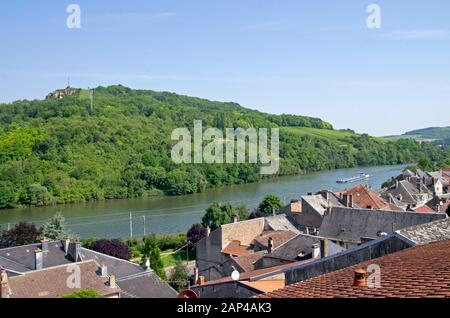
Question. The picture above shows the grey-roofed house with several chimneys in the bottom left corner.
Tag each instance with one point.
(37, 260)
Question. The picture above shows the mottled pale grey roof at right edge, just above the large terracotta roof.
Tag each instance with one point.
(428, 232)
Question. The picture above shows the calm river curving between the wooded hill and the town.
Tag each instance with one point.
(164, 215)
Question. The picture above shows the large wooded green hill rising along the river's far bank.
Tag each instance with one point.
(58, 150)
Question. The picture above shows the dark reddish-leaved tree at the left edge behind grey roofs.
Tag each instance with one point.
(23, 233)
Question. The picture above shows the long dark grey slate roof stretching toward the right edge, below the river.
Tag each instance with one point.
(355, 225)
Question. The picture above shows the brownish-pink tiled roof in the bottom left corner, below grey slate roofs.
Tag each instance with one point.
(52, 282)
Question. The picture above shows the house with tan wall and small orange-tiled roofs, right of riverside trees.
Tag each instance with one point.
(238, 245)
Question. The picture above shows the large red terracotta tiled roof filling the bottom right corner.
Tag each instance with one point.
(421, 271)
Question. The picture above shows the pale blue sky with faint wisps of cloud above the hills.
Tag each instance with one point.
(315, 58)
